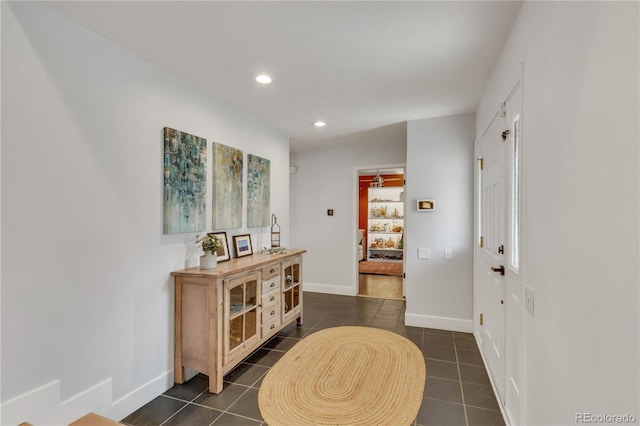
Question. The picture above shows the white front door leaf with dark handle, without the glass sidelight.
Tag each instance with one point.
(490, 259)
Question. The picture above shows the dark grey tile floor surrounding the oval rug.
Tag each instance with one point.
(457, 390)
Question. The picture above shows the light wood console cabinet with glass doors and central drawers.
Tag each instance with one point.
(223, 314)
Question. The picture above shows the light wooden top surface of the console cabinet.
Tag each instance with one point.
(240, 264)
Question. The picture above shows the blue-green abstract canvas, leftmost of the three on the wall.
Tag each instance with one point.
(185, 158)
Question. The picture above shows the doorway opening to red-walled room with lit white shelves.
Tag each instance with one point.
(380, 233)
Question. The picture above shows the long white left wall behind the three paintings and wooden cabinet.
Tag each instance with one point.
(87, 301)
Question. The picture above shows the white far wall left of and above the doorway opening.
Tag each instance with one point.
(325, 180)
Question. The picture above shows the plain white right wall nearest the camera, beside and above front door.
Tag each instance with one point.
(580, 200)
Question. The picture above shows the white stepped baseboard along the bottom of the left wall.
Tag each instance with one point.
(42, 406)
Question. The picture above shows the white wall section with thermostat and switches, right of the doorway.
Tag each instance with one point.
(439, 291)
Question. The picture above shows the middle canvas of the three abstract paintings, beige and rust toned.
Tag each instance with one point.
(227, 187)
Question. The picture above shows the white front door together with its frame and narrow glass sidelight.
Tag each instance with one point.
(499, 289)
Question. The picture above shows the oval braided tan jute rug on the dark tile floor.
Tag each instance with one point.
(345, 376)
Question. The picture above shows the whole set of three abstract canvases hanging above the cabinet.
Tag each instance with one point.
(185, 159)
